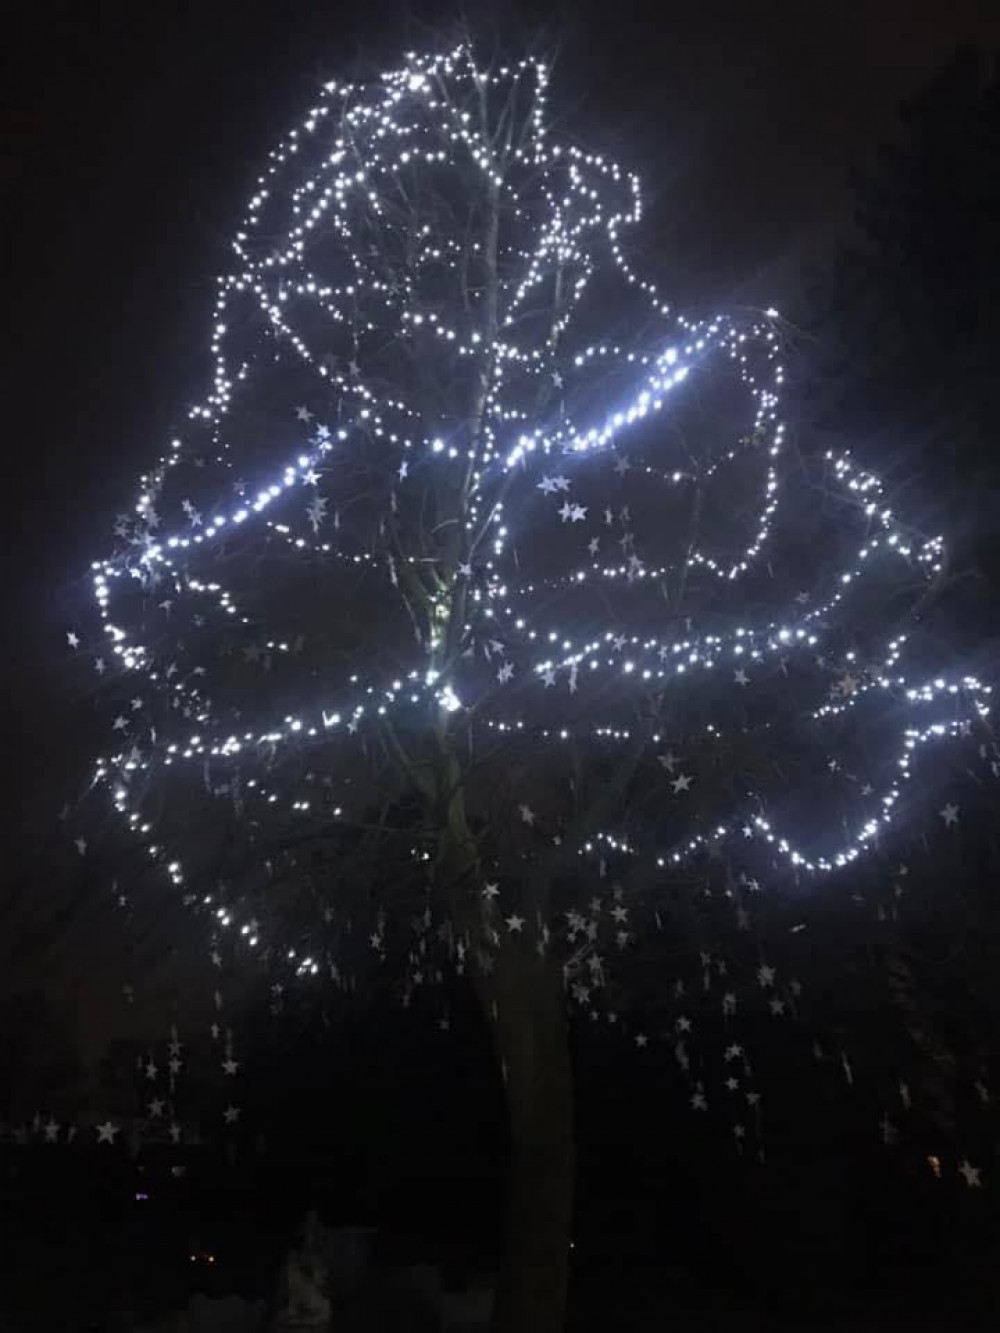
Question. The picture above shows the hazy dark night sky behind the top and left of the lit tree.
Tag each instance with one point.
(133, 135)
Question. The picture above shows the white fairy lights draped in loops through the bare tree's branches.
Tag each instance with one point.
(341, 177)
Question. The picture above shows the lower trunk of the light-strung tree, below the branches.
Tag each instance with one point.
(530, 1022)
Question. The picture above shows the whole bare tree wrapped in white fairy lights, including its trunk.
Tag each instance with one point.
(450, 631)
